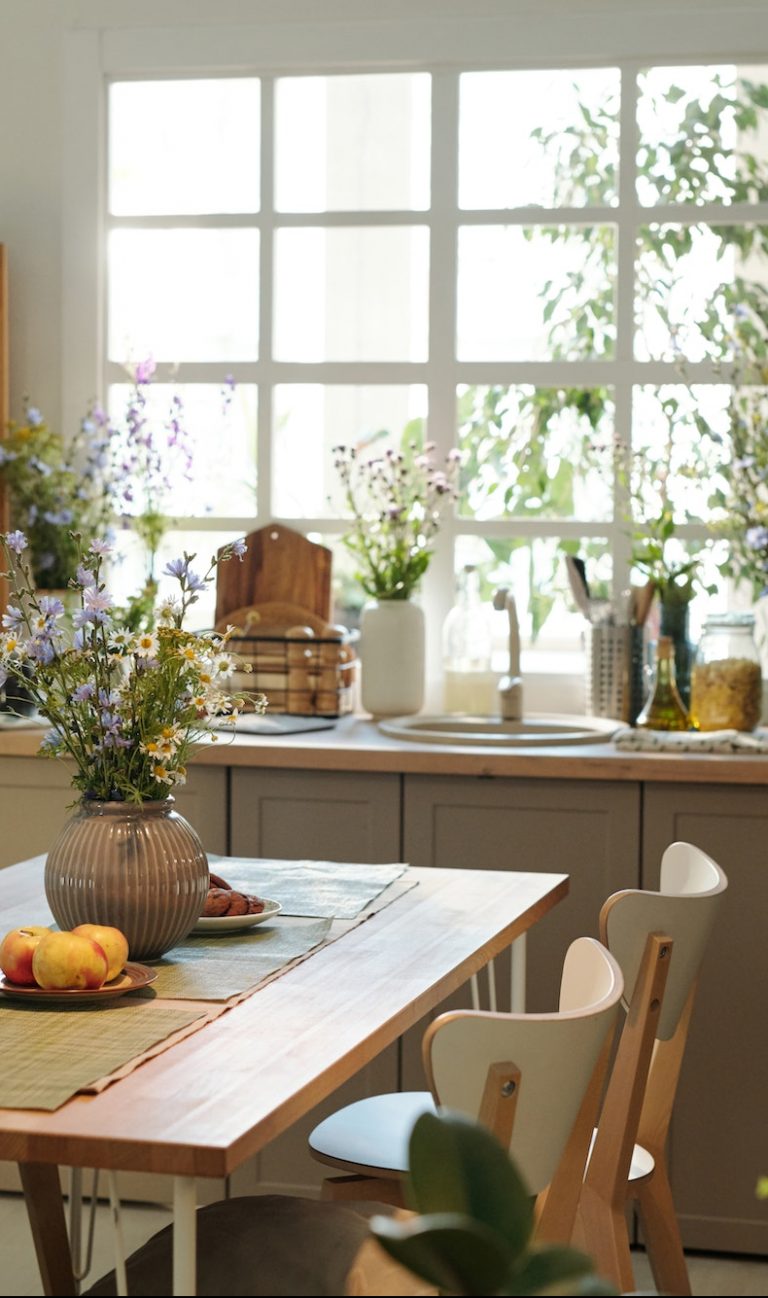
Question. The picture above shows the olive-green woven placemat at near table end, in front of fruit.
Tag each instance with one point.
(51, 1055)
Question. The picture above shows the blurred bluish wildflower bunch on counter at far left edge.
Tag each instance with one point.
(56, 490)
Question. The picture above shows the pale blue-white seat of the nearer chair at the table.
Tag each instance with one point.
(373, 1135)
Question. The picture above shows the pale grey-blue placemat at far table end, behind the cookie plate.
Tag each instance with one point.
(312, 888)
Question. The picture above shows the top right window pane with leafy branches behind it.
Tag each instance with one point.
(702, 136)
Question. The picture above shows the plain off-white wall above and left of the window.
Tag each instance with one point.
(33, 41)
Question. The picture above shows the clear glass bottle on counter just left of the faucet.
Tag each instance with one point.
(470, 683)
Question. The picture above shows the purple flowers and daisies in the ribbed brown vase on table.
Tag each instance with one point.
(126, 708)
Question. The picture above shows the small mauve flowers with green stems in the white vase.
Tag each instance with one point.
(396, 503)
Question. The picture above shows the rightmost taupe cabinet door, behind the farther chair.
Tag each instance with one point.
(718, 1147)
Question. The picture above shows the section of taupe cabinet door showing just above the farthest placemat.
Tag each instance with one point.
(321, 816)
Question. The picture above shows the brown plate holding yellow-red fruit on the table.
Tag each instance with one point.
(88, 962)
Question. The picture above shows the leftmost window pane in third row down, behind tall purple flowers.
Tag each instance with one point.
(219, 428)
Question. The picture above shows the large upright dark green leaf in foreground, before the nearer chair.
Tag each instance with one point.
(457, 1166)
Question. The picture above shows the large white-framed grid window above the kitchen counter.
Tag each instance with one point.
(516, 262)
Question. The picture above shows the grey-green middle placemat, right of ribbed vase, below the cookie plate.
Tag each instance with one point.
(216, 969)
